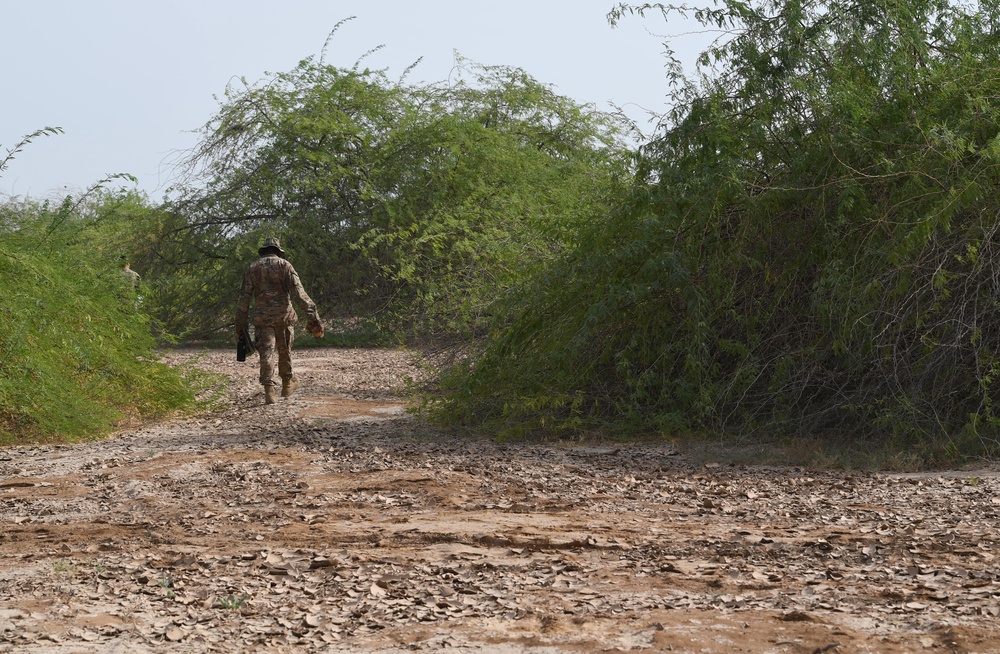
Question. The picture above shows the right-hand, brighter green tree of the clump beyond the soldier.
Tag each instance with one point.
(502, 176)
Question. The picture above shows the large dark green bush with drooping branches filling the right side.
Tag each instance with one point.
(810, 246)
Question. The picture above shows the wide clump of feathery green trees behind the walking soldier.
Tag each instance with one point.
(416, 205)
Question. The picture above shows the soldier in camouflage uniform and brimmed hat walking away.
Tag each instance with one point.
(273, 285)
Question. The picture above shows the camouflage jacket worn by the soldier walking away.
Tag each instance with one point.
(273, 285)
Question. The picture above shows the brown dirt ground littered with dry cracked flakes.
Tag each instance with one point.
(332, 521)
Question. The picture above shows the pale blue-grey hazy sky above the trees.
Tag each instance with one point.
(129, 81)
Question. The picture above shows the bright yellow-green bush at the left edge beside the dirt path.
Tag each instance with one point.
(76, 352)
